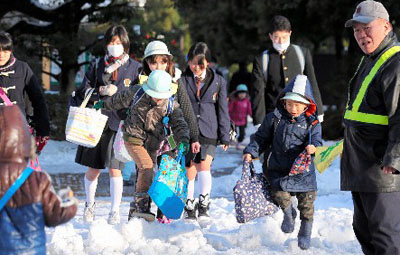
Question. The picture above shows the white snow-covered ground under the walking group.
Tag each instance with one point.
(332, 230)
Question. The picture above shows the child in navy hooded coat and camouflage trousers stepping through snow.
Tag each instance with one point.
(288, 129)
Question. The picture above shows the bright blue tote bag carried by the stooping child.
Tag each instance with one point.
(169, 188)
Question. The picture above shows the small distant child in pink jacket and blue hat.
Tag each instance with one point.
(239, 108)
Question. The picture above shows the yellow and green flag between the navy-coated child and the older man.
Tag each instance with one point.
(325, 155)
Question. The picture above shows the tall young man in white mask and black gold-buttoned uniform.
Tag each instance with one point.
(276, 67)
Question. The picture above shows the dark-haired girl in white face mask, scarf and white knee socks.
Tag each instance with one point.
(114, 72)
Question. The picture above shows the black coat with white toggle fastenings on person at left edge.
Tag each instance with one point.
(21, 83)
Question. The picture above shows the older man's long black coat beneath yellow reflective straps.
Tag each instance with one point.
(369, 147)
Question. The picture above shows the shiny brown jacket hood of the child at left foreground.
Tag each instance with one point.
(15, 139)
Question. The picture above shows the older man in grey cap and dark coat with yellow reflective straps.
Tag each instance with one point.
(371, 151)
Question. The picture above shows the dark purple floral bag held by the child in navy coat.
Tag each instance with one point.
(252, 199)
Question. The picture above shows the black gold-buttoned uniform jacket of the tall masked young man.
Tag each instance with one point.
(281, 70)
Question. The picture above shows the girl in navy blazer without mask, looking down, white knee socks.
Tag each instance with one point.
(207, 92)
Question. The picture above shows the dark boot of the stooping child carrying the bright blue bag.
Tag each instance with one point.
(140, 207)
